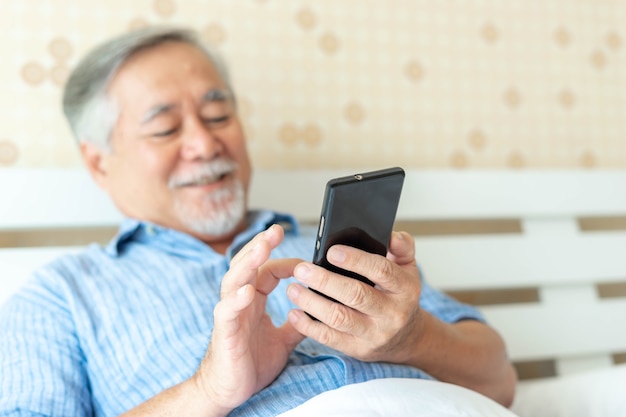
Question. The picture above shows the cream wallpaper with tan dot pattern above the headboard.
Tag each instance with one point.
(356, 83)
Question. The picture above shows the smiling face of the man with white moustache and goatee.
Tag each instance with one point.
(178, 156)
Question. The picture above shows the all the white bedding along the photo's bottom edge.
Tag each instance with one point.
(599, 393)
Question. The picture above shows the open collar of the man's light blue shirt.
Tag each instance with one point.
(133, 230)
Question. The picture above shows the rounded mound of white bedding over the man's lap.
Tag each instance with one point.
(400, 397)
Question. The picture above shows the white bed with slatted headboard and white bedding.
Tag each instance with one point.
(541, 253)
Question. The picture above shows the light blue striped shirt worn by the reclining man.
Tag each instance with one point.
(99, 332)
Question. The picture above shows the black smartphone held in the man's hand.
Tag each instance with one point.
(359, 211)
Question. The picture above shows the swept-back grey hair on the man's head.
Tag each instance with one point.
(89, 111)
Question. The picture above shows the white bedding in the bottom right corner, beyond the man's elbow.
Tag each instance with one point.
(588, 394)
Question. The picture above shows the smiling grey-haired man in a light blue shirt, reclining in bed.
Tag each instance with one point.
(197, 306)
